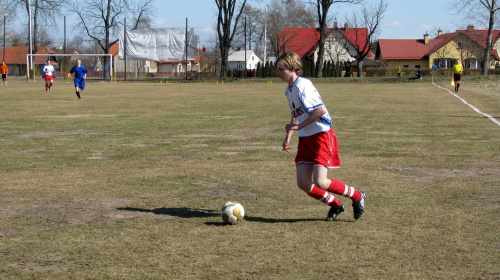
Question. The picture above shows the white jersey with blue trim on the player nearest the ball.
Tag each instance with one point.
(303, 98)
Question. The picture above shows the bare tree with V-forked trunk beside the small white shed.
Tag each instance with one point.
(227, 21)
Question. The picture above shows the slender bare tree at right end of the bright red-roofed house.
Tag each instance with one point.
(370, 18)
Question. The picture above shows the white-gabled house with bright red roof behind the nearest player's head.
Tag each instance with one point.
(342, 44)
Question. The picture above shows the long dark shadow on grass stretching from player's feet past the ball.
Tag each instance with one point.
(184, 212)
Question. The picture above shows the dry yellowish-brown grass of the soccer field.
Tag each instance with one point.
(128, 183)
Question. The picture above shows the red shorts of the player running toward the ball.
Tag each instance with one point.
(319, 149)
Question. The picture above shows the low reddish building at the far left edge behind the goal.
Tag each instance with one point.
(15, 58)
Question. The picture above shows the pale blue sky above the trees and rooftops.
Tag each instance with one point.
(404, 19)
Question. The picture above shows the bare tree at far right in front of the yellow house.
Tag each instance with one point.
(483, 12)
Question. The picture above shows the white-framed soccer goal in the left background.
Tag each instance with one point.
(99, 66)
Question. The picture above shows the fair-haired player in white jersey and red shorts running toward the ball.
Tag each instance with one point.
(317, 147)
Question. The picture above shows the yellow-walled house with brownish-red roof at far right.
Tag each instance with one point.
(442, 51)
